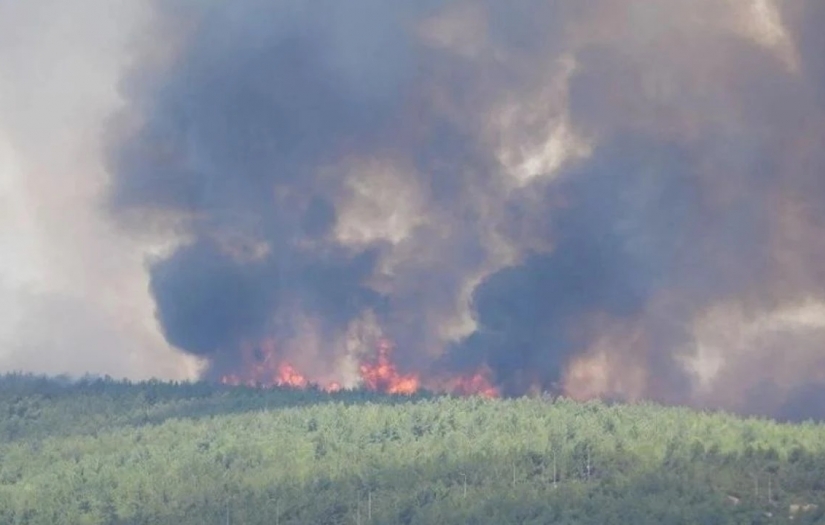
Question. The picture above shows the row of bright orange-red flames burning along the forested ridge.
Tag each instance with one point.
(261, 368)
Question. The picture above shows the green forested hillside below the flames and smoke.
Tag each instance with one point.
(103, 451)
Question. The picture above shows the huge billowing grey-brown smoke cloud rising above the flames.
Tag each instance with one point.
(573, 195)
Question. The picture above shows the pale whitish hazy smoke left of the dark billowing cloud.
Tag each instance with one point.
(73, 292)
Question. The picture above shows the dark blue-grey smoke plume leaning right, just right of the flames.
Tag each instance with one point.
(617, 241)
